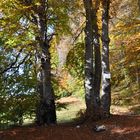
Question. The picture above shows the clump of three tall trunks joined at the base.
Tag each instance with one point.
(96, 106)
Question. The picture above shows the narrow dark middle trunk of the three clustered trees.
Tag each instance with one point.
(97, 56)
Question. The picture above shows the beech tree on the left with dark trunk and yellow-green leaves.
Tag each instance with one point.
(35, 23)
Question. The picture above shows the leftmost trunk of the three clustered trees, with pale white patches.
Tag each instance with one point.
(88, 58)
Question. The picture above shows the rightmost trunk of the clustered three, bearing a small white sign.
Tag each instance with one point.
(106, 86)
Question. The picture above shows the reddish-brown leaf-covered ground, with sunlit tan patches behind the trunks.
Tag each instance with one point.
(118, 127)
